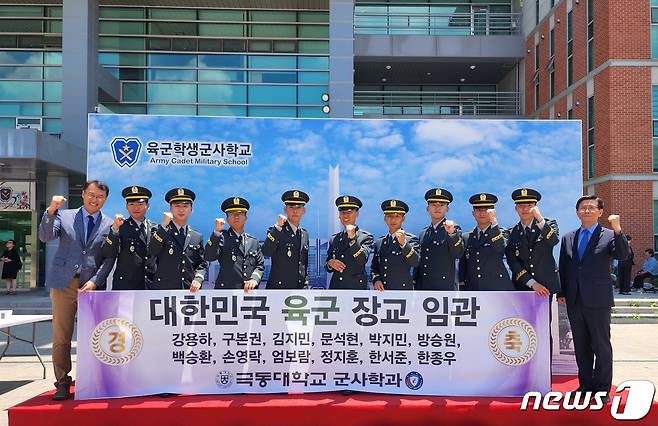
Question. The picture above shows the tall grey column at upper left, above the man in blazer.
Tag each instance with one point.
(80, 65)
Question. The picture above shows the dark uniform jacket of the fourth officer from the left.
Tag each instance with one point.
(289, 253)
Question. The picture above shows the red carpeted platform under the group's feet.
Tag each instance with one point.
(331, 408)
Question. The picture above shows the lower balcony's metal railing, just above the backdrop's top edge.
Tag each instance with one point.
(377, 103)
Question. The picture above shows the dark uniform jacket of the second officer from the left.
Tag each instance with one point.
(176, 263)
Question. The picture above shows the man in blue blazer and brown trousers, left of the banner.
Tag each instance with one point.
(78, 267)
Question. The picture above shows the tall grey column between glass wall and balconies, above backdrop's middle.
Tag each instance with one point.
(341, 58)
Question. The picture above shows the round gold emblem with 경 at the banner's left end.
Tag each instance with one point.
(116, 341)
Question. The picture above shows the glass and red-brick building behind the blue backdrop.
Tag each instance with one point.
(590, 60)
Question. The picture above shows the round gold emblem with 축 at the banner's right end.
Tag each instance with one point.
(513, 341)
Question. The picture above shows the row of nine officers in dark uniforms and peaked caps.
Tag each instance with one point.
(172, 255)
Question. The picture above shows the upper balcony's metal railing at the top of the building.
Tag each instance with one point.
(475, 23)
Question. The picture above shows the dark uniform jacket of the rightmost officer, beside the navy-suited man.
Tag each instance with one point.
(532, 256)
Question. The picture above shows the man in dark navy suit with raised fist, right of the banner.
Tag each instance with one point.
(585, 259)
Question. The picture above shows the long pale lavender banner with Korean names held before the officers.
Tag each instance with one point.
(223, 342)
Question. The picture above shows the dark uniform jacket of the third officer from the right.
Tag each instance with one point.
(439, 252)
